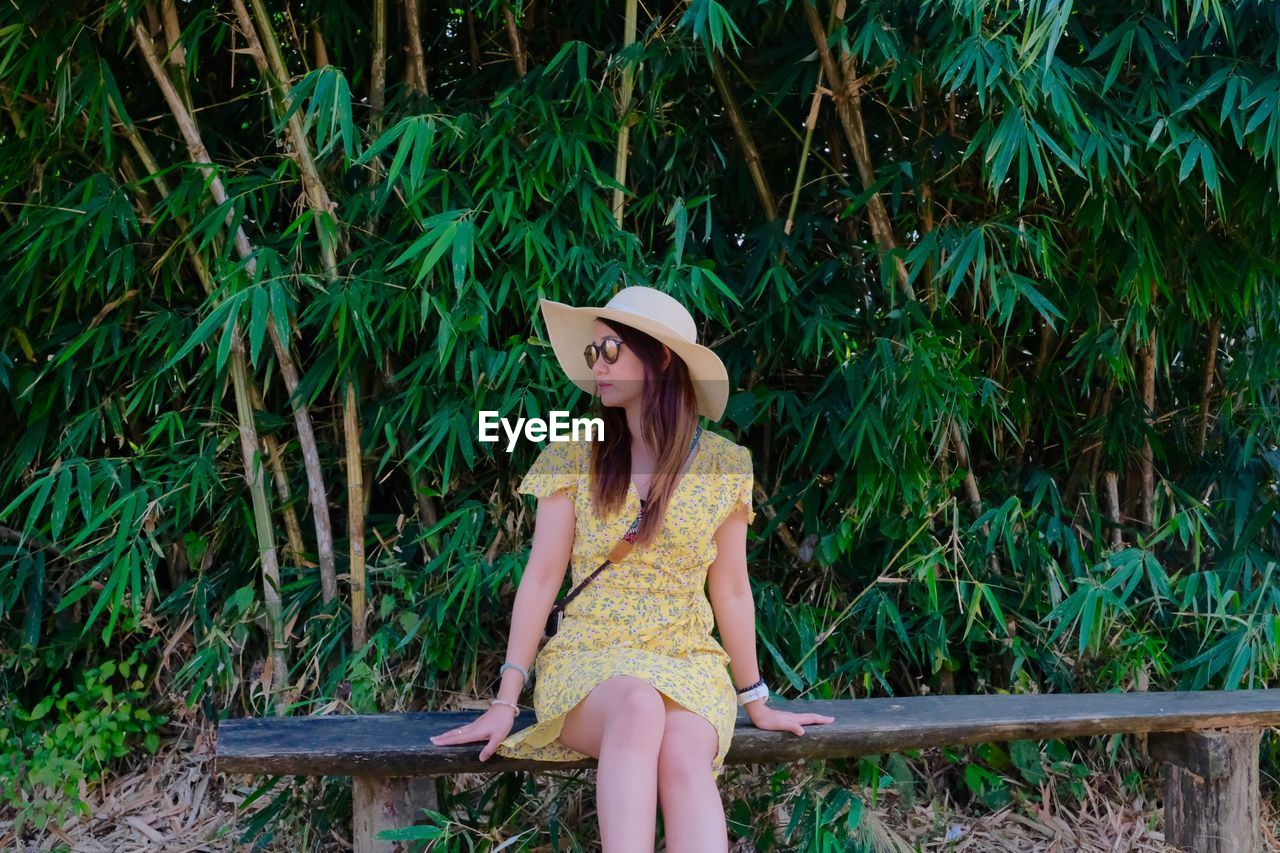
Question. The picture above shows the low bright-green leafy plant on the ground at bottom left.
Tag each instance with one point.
(67, 741)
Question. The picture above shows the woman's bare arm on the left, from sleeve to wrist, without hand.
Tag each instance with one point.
(545, 574)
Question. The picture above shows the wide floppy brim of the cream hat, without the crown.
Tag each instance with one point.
(573, 329)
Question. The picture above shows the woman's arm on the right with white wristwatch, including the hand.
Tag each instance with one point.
(730, 592)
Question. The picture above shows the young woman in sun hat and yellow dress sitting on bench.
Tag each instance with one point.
(634, 677)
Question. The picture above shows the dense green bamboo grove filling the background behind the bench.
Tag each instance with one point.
(996, 286)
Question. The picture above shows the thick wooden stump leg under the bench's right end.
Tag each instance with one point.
(1212, 790)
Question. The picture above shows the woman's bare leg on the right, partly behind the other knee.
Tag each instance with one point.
(693, 814)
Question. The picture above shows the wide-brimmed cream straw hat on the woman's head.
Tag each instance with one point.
(653, 313)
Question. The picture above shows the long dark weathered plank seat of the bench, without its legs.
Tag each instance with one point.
(397, 745)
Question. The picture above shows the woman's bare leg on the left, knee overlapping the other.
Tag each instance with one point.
(620, 723)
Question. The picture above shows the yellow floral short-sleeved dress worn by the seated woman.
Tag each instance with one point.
(648, 615)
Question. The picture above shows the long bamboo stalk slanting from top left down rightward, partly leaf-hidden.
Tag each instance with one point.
(289, 371)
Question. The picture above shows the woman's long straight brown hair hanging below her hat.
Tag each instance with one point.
(669, 421)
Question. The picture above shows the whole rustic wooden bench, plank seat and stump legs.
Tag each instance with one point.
(1209, 738)
